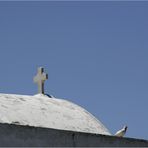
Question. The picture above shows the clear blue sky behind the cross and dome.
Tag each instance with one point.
(96, 55)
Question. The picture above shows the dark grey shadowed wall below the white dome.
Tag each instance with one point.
(17, 135)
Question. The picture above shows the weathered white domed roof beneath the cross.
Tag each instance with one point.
(43, 111)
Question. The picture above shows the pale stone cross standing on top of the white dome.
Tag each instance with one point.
(40, 79)
